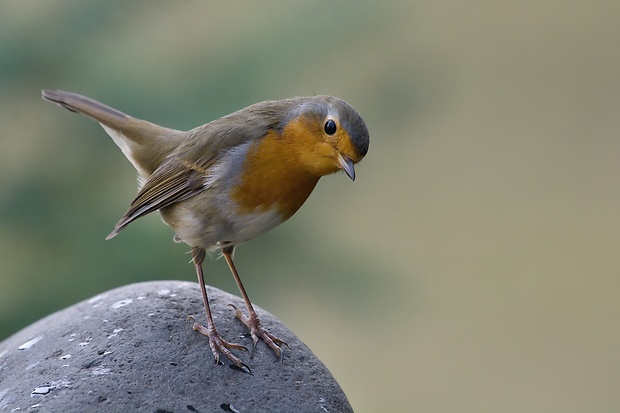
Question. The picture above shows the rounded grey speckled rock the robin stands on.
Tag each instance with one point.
(132, 350)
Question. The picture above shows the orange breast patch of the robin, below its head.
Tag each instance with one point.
(273, 177)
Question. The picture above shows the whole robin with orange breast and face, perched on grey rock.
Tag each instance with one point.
(232, 179)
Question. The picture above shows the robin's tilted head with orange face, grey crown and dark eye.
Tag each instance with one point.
(328, 134)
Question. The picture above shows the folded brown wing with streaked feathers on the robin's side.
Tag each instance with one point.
(172, 182)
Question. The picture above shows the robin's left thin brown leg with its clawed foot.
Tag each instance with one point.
(217, 343)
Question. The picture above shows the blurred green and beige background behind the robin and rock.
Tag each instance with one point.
(472, 266)
